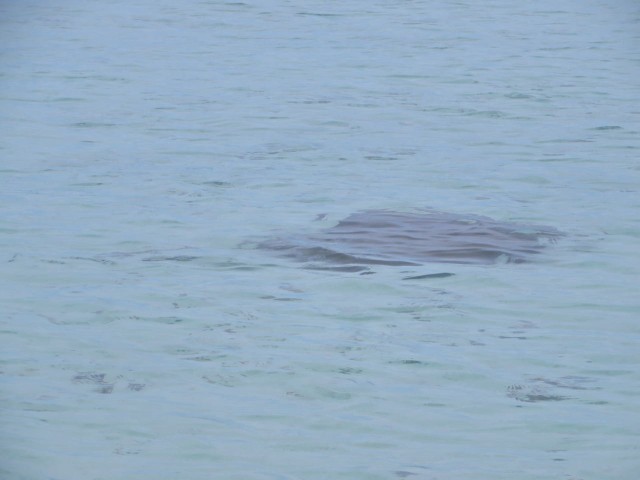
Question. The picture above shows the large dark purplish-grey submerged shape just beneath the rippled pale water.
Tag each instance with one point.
(411, 239)
